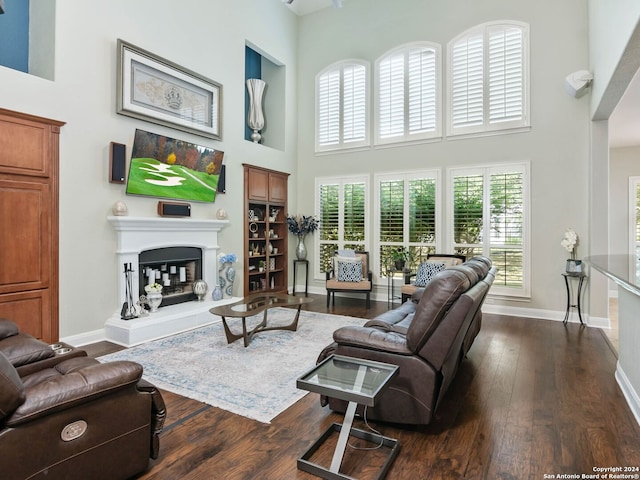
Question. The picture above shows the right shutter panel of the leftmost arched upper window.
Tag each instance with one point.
(355, 101)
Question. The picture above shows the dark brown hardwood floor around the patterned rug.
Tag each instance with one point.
(533, 398)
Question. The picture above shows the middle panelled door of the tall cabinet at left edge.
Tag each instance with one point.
(25, 210)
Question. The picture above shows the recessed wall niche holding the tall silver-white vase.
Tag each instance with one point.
(258, 64)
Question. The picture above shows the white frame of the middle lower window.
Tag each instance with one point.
(405, 176)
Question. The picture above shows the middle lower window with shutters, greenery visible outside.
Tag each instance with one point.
(407, 215)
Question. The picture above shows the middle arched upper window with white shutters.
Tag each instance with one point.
(408, 94)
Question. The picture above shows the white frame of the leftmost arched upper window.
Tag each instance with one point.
(342, 145)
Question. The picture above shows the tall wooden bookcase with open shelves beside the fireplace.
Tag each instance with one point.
(265, 232)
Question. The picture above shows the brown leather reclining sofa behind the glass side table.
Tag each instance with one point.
(427, 340)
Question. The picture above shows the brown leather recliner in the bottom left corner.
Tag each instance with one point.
(64, 415)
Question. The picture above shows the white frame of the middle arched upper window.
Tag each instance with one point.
(408, 137)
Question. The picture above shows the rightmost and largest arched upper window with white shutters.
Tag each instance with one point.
(488, 72)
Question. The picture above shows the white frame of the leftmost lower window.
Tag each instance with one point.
(341, 181)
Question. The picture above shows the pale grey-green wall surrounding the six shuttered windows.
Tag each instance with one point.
(556, 146)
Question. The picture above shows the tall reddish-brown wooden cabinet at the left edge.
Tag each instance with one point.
(29, 223)
